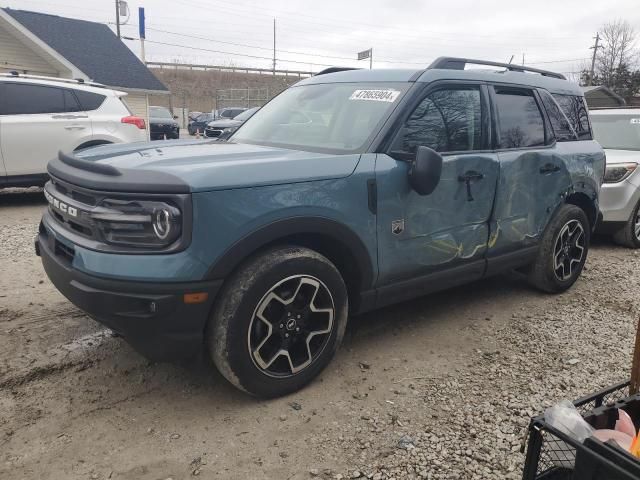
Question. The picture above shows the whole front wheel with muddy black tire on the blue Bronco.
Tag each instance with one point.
(234, 329)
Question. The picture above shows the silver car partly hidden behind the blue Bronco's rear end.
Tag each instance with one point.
(618, 131)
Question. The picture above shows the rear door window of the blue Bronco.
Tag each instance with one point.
(520, 119)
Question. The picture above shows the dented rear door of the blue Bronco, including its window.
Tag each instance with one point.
(533, 175)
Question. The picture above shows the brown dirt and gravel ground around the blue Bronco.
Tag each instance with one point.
(441, 387)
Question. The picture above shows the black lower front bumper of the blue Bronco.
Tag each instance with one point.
(152, 317)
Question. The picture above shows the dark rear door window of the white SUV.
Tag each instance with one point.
(29, 99)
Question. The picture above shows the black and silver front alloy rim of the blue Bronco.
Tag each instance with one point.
(291, 326)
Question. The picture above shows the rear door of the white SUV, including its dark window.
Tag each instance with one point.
(37, 122)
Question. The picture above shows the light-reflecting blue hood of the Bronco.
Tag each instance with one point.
(221, 165)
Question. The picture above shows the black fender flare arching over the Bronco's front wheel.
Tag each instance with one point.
(289, 228)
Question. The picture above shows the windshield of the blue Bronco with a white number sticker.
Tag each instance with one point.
(334, 117)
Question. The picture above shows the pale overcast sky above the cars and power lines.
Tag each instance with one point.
(552, 34)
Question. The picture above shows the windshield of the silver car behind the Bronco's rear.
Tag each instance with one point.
(617, 131)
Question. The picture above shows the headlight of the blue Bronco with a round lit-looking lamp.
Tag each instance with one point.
(138, 223)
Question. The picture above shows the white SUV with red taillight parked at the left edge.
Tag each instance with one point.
(40, 116)
